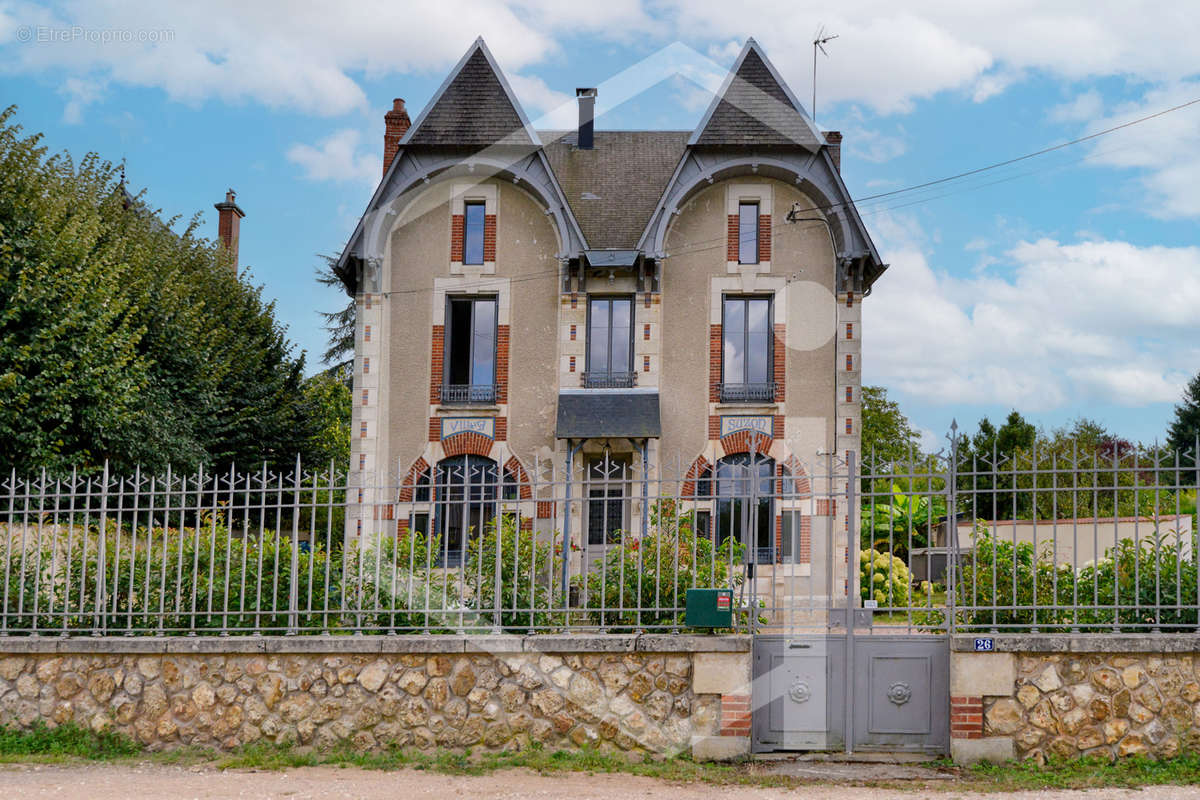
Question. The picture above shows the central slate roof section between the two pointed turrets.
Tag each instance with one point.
(614, 189)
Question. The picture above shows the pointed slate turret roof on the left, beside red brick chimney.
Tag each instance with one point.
(475, 107)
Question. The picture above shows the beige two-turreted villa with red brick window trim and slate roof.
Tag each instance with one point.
(625, 314)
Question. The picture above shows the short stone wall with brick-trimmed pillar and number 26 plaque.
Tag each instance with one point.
(1088, 696)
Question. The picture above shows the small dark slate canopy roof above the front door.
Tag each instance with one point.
(603, 413)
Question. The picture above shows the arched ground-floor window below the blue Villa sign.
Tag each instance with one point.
(467, 491)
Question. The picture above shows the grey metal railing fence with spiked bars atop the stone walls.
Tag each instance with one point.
(1063, 538)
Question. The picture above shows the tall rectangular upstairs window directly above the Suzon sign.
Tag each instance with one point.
(747, 351)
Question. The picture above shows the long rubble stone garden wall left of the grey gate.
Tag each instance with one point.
(641, 695)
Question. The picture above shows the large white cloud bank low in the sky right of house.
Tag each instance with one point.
(1094, 322)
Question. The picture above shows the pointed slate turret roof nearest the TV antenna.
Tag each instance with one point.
(755, 107)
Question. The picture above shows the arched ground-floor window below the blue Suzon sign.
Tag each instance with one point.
(746, 508)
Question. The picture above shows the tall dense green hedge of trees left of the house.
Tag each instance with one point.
(123, 339)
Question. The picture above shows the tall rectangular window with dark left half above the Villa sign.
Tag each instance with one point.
(471, 351)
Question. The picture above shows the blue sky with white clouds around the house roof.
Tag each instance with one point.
(1064, 286)
